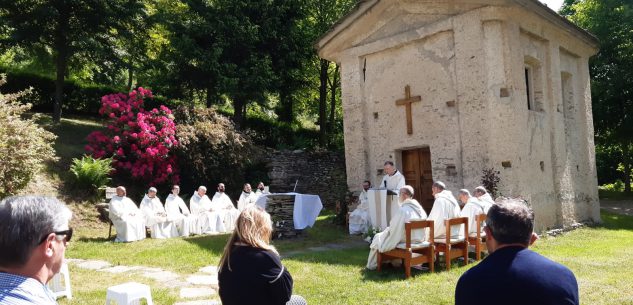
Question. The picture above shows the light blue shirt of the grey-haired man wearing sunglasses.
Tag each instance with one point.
(19, 290)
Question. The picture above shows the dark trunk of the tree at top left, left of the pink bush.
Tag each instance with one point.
(61, 61)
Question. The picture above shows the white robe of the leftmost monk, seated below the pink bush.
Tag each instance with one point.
(127, 219)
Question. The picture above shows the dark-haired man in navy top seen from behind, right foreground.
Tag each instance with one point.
(512, 274)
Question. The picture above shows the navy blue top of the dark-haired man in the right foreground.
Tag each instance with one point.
(517, 276)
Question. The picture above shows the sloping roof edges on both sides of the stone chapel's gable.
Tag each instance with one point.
(536, 6)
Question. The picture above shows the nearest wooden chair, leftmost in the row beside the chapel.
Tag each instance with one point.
(412, 254)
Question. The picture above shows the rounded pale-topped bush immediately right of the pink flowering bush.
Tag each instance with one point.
(211, 149)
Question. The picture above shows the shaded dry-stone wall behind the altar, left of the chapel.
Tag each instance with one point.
(318, 173)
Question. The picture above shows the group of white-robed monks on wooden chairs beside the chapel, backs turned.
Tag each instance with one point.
(445, 207)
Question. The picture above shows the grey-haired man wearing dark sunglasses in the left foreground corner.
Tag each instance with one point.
(34, 234)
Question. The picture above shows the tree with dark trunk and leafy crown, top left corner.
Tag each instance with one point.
(70, 28)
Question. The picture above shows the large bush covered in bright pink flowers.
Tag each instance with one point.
(141, 142)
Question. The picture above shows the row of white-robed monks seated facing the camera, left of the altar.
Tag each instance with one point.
(174, 219)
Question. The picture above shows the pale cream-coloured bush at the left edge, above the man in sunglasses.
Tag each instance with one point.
(24, 146)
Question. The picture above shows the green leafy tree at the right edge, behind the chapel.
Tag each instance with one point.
(611, 74)
